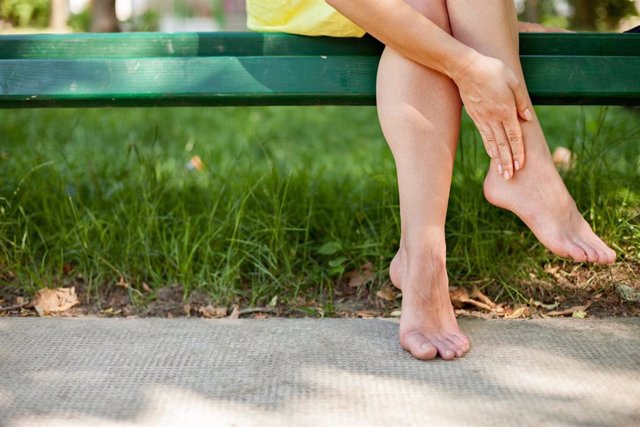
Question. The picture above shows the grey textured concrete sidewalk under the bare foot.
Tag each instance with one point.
(311, 372)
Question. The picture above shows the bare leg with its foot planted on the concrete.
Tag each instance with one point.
(419, 112)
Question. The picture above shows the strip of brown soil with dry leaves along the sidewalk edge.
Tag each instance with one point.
(563, 290)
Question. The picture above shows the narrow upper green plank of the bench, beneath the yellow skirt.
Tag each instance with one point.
(143, 45)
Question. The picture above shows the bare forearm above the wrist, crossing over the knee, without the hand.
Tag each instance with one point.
(401, 27)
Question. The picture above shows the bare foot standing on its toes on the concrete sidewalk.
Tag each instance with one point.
(428, 325)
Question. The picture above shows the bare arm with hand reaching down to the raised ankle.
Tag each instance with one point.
(490, 90)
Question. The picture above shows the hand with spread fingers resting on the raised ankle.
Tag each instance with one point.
(494, 98)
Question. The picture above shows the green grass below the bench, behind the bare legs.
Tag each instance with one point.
(289, 200)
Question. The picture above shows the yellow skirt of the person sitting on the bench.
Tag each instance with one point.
(307, 17)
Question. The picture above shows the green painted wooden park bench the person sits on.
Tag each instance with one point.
(218, 69)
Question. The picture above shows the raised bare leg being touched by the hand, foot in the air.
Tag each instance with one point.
(536, 193)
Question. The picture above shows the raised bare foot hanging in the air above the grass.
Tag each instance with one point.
(538, 196)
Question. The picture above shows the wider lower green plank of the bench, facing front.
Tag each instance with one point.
(301, 80)
